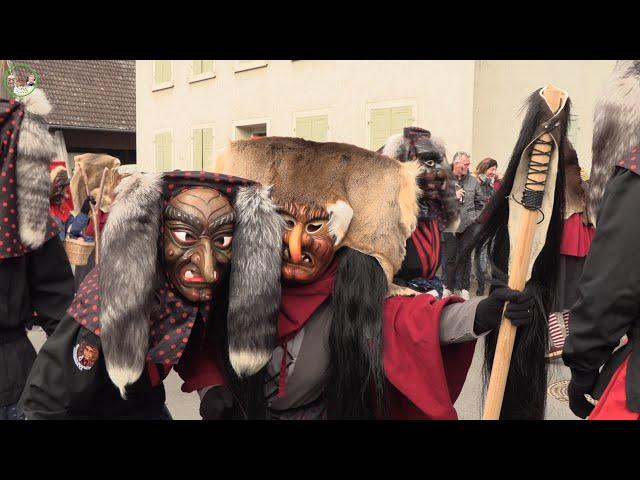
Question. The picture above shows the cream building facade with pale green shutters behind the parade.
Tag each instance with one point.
(189, 109)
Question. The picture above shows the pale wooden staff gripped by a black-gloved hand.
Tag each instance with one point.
(521, 257)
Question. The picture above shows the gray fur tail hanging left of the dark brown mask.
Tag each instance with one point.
(129, 257)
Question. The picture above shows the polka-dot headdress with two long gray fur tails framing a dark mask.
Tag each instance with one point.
(130, 265)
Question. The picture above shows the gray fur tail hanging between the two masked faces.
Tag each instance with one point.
(254, 283)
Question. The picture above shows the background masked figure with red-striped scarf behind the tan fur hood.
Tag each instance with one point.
(439, 208)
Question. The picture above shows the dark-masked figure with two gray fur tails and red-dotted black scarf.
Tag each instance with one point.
(181, 252)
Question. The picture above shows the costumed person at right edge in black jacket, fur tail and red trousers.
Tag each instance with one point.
(609, 289)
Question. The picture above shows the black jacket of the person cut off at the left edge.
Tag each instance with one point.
(40, 281)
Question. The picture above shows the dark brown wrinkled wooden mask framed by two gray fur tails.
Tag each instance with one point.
(198, 231)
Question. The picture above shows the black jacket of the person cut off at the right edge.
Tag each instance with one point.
(608, 305)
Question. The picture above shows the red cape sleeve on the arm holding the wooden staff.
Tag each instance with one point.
(424, 377)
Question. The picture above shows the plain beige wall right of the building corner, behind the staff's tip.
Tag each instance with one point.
(501, 87)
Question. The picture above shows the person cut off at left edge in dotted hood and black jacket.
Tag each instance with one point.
(35, 275)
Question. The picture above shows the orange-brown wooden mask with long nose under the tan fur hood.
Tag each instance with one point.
(308, 245)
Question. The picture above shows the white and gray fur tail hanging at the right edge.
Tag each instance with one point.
(616, 129)
